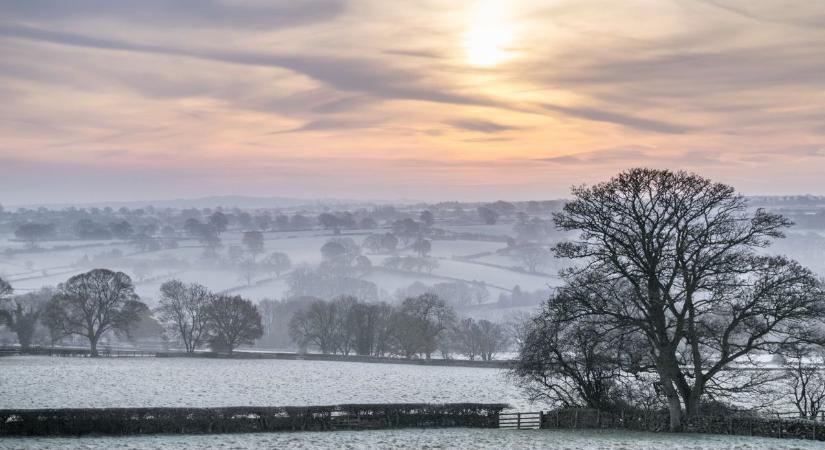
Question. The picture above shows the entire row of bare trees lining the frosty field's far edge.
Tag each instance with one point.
(102, 303)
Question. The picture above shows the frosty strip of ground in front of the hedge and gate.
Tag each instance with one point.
(441, 438)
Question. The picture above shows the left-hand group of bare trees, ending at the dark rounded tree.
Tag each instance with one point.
(102, 302)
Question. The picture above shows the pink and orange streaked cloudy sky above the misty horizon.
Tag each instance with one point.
(426, 100)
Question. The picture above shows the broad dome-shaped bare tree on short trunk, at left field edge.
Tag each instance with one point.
(92, 303)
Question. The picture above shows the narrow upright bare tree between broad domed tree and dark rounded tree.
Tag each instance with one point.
(182, 307)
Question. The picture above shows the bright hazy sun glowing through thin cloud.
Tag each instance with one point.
(486, 39)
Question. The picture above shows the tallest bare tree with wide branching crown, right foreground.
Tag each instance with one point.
(680, 255)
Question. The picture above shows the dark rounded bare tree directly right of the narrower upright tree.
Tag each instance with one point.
(233, 321)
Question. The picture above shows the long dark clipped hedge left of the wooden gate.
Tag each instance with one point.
(245, 419)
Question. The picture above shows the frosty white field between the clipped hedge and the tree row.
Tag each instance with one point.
(44, 382)
